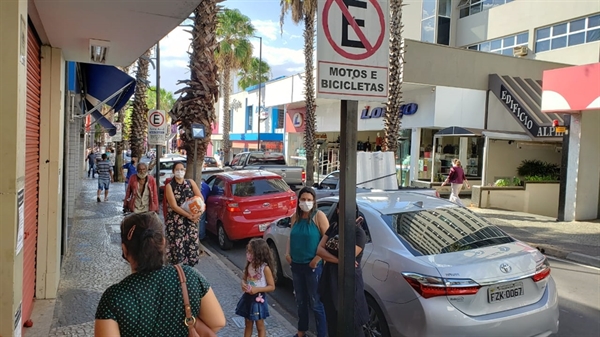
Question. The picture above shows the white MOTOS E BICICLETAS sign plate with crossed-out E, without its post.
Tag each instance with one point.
(352, 60)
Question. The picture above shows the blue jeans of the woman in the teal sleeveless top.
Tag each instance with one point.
(306, 281)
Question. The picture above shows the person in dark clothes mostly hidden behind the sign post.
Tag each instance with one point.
(328, 284)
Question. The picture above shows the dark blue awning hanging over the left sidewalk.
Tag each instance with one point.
(106, 85)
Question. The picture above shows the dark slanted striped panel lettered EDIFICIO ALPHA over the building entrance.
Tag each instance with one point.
(522, 98)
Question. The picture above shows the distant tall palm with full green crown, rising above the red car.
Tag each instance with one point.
(233, 53)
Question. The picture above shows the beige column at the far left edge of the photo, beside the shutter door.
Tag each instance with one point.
(13, 87)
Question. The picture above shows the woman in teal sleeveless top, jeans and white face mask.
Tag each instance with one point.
(308, 226)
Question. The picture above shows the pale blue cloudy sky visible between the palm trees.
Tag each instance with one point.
(283, 53)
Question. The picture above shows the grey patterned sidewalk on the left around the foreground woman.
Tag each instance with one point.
(93, 262)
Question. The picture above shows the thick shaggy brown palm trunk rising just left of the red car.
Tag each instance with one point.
(201, 91)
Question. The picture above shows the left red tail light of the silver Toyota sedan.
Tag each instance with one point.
(431, 286)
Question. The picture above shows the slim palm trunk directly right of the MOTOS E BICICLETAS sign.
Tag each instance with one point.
(392, 118)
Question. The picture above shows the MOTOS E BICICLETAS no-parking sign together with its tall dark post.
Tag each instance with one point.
(352, 65)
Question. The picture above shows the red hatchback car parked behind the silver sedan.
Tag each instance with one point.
(242, 204)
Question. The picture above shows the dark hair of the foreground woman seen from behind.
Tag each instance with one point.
(142, 234)
